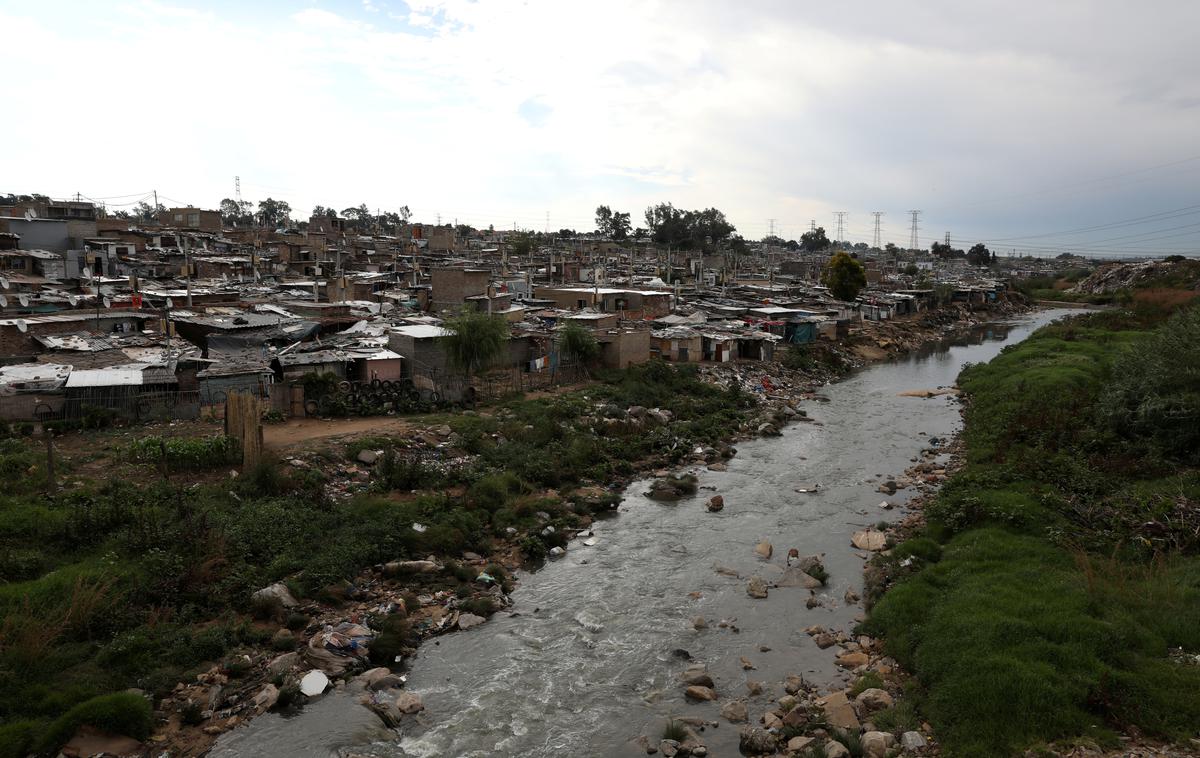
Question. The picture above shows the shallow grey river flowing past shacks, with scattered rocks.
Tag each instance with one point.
(584, 664)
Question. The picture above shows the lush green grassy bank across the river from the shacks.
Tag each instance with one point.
(1055, 593)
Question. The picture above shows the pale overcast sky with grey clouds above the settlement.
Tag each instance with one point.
(1009, 123)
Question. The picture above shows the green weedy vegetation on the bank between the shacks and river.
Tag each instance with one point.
(134, 576)
